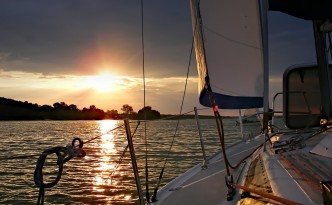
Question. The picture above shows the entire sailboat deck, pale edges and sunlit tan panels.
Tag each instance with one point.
(285, 174)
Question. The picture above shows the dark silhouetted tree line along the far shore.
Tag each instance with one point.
(17, 110)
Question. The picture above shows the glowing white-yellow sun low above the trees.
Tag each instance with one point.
(102, 82)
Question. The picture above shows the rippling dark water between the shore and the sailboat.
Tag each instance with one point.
(95, 179)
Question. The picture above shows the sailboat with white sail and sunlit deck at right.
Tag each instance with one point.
(290, 166)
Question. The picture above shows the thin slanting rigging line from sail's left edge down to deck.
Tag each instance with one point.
(154, 198)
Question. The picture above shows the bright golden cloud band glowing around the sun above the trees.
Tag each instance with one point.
(161, 93)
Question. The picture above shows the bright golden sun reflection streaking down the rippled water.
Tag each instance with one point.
(107, 161)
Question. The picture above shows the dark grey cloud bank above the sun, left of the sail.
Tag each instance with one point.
(54, 36)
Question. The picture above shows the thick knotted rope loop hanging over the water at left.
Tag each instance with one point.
(64, 154)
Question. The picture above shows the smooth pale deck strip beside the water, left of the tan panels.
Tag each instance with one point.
(204, 186)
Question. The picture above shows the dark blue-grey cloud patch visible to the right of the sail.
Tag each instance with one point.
(291, 42)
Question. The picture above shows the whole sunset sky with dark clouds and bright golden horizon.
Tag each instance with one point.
(87, 52)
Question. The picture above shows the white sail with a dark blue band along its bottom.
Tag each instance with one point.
(228, 49)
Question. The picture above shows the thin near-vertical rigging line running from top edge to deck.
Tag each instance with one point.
(144, 93)
